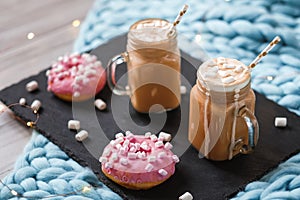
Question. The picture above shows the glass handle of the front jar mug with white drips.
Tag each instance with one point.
(253, 131)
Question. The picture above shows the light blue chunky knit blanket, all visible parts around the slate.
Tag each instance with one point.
(237, 29)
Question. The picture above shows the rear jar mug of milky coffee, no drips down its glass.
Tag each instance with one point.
(153, 64)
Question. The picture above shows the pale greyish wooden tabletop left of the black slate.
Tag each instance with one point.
(20, 57)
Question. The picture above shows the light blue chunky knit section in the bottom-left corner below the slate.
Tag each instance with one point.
(46, 170)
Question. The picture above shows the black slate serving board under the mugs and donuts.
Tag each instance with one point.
(204, 179)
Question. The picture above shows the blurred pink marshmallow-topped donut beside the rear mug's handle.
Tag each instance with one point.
(76, 77)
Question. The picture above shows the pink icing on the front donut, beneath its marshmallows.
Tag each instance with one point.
(136, 169)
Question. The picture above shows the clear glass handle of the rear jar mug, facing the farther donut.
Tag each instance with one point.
(111, 74)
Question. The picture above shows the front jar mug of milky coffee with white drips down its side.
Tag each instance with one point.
(222, 123)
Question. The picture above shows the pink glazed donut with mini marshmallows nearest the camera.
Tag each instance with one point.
(138, 161)
